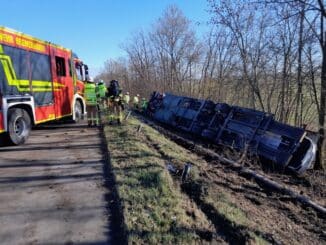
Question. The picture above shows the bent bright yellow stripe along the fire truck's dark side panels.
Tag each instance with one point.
(23, 85)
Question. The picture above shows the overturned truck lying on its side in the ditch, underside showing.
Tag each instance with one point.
(242, 129)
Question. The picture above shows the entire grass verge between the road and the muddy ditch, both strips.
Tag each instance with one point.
(157, 208)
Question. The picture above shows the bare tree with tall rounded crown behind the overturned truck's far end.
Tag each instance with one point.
(177, 47)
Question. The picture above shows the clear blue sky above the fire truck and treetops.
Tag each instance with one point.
(94, 29)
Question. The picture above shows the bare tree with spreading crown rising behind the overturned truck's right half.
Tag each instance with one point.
(244, 23)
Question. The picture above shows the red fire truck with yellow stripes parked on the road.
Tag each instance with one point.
(39, 82)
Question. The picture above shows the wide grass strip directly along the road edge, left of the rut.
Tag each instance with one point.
(153, 206)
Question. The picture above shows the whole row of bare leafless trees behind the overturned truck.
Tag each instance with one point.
(258, 55)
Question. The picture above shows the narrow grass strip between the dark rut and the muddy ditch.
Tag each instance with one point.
(223, 203)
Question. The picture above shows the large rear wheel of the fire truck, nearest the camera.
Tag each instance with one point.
(19, 126)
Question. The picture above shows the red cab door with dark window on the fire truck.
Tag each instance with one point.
(62, 82)
